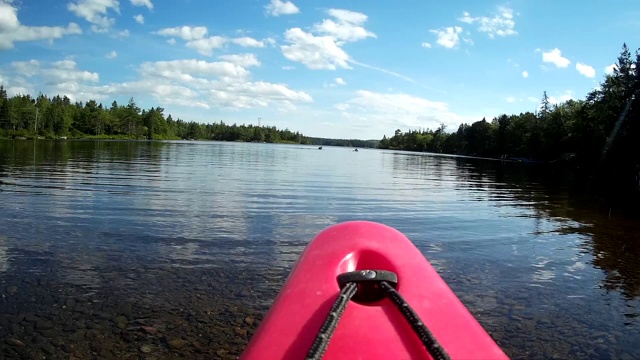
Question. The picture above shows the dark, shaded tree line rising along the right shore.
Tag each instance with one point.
(599, 135)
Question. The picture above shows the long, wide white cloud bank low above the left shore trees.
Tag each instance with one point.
(189, 82)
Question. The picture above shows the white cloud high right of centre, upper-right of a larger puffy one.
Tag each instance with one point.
(347, 26)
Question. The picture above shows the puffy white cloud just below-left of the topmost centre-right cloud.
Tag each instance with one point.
(316, 52)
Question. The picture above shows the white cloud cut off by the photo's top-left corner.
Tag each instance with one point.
(11, 30)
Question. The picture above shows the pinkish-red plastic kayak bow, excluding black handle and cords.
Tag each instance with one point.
(367, 331)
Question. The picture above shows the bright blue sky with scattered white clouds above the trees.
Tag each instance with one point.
(357, 69)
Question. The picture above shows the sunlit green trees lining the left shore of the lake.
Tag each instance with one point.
(23, 116)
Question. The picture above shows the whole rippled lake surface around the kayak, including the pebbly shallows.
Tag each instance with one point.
(154, 250)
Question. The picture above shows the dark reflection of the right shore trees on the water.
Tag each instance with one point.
(559, 214)
